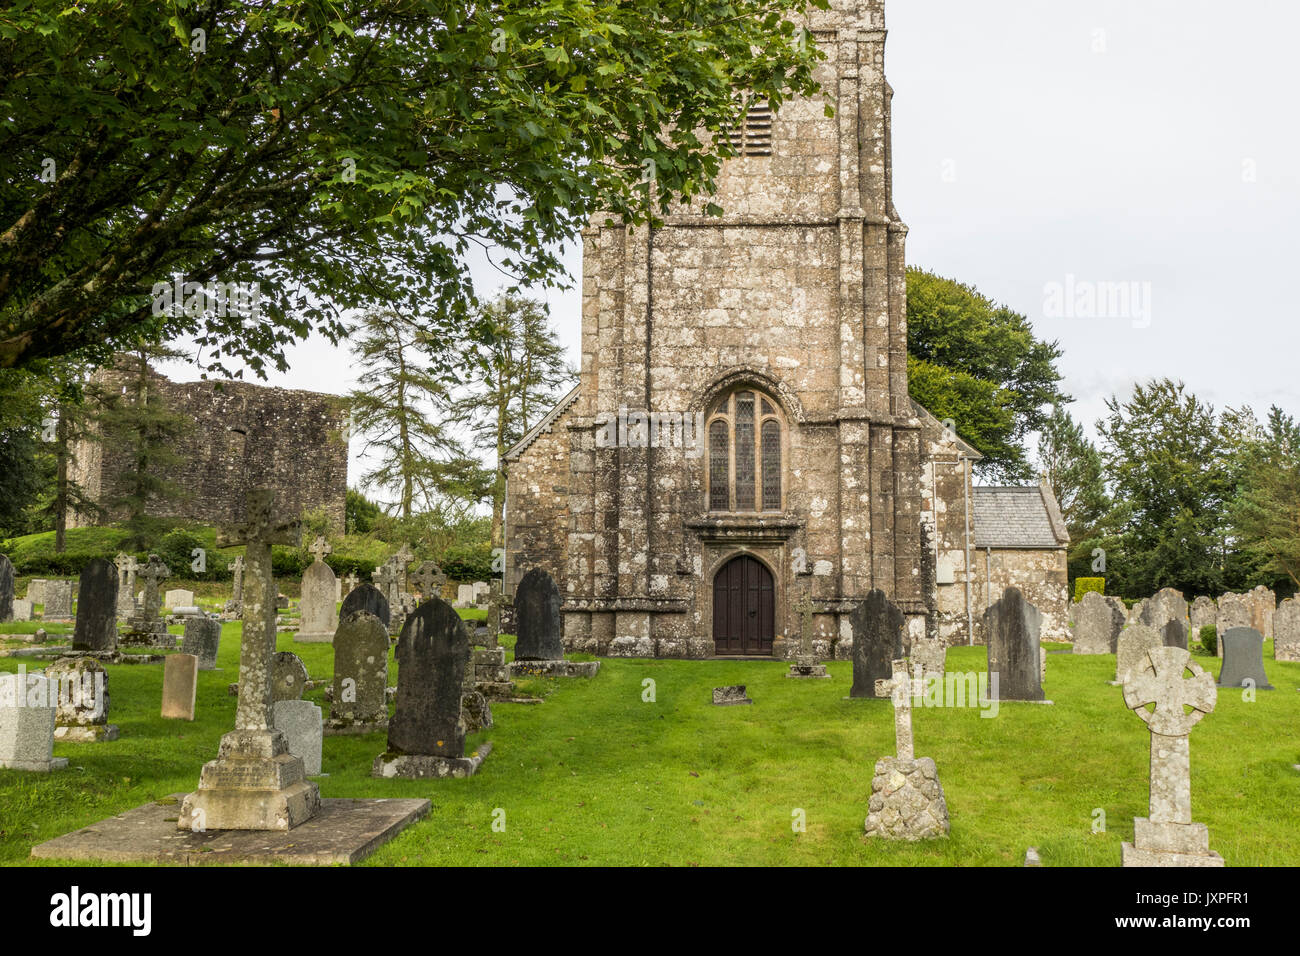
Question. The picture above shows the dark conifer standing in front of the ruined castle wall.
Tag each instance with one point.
(132, 416)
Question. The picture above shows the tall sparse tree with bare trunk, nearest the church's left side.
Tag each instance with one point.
(514, 373)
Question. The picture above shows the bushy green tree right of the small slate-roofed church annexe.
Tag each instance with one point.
(1168, 461)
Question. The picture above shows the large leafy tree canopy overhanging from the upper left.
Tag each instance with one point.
(345, 152)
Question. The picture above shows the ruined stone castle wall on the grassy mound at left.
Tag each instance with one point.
(241, 436)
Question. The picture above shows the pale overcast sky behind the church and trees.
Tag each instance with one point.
(1054, 146)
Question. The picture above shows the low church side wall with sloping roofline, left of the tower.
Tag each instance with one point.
(538, 520)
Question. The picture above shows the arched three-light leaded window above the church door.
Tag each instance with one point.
(746, 453)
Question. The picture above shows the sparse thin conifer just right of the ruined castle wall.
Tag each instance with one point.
(400, 406)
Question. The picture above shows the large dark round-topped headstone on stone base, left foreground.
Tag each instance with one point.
(432, 655)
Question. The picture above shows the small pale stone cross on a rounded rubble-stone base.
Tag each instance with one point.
(907, 799)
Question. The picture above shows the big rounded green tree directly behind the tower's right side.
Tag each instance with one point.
(980, 366)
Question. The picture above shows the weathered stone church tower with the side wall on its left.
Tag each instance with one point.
(742, 438)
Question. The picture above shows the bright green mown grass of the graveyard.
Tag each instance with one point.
(599, 776)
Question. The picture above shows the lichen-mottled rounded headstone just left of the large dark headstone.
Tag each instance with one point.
(361, 676)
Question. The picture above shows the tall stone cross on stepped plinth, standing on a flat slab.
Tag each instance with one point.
(255, 784)
